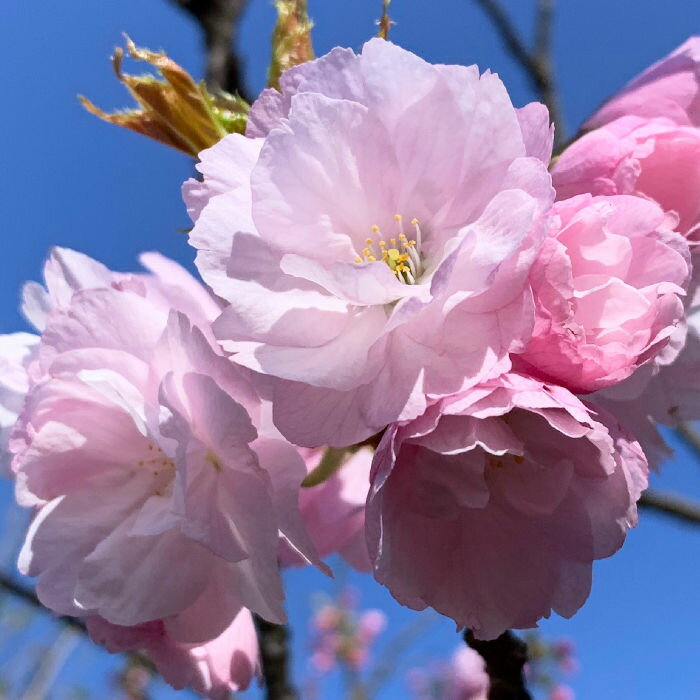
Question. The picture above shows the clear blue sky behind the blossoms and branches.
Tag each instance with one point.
(69, 179)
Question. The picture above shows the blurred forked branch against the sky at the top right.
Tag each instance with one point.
(536, 63)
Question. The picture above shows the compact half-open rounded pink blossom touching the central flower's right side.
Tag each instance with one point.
(608, 288)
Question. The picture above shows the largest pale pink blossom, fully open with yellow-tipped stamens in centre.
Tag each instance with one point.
(368, 262)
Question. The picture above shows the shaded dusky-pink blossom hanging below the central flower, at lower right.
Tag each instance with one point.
(492, 507)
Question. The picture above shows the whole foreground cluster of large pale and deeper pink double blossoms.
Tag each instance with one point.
(387, 262)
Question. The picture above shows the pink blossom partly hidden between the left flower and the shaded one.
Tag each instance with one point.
(333, 512)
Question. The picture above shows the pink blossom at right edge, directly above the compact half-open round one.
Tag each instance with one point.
(652, 158)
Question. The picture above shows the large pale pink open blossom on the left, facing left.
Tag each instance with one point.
(138, 445)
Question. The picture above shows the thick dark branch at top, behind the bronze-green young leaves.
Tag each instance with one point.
(219, 20)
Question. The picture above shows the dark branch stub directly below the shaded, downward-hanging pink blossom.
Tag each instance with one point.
(505, 658)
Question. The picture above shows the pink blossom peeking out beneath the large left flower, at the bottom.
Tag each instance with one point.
(213, 668)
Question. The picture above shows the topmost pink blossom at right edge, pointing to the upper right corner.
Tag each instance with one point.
(669, 88)
